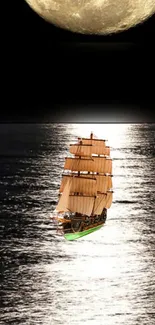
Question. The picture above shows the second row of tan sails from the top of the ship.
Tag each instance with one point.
(88, 150)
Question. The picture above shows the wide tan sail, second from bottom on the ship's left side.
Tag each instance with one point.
(84, 185)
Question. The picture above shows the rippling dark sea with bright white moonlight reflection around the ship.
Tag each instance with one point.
(107, 277)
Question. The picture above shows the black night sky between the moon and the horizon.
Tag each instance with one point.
(47, 71)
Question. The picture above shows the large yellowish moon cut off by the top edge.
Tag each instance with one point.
(94, 16)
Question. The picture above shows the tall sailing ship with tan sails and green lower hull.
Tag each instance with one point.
(85, 191)
